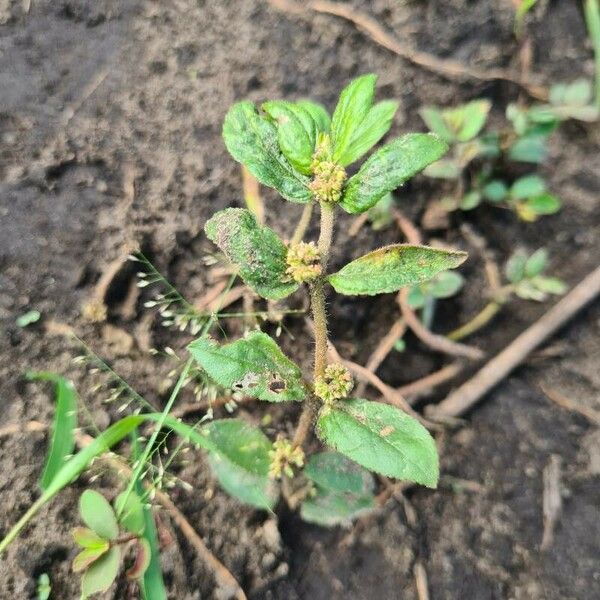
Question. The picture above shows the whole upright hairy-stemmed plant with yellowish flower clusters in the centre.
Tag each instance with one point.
(297, 149)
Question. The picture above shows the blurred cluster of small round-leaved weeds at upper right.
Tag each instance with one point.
(478, 159)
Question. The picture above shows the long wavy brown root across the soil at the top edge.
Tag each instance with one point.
(451, 69)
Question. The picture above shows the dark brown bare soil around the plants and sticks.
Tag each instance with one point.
(110, 122)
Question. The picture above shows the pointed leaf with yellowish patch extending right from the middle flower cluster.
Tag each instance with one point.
(393, 267)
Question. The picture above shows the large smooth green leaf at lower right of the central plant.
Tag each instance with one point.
(381, 438)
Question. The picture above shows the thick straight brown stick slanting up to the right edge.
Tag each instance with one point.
(501, 365)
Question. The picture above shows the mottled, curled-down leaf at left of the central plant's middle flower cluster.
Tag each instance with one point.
(256, 250)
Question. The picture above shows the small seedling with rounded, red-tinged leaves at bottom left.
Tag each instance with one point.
(100, 557)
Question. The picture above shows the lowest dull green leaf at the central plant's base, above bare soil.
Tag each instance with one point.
(329, 509)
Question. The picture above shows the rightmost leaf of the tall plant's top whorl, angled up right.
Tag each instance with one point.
(389, 168)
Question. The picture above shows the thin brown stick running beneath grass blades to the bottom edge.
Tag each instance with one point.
(225, 580)
